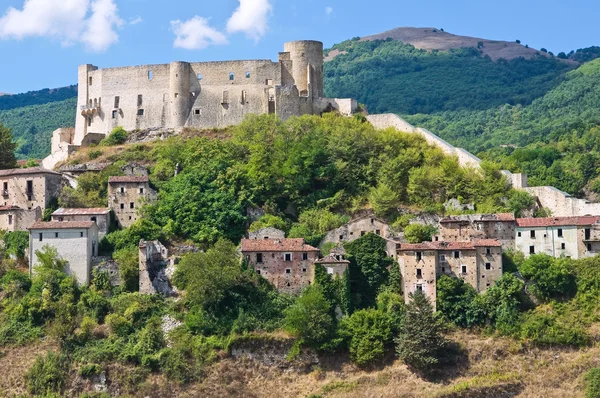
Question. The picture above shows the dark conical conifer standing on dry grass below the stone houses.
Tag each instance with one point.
(420, 343)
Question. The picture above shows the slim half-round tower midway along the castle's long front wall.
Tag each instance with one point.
(180, 93)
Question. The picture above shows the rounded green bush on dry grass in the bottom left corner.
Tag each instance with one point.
(48, 374)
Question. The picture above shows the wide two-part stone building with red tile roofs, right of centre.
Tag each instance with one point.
(478, 263)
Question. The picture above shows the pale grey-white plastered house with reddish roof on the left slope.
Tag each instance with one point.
(75, 241)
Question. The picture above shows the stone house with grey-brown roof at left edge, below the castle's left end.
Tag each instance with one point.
(29, 188)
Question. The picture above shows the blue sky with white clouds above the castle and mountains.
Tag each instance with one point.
(43, 41)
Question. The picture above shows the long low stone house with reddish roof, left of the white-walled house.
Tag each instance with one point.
(467, 227)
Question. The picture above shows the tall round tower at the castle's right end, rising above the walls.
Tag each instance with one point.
(307, 66)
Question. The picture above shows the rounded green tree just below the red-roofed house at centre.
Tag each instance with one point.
(310, 318)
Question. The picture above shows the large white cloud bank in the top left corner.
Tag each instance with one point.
(90, 22)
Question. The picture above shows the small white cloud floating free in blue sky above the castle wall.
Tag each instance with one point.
(196, 34)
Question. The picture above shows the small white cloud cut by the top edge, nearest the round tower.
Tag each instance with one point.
(251, 17)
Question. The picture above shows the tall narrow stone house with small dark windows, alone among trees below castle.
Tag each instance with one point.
(126, 194)
